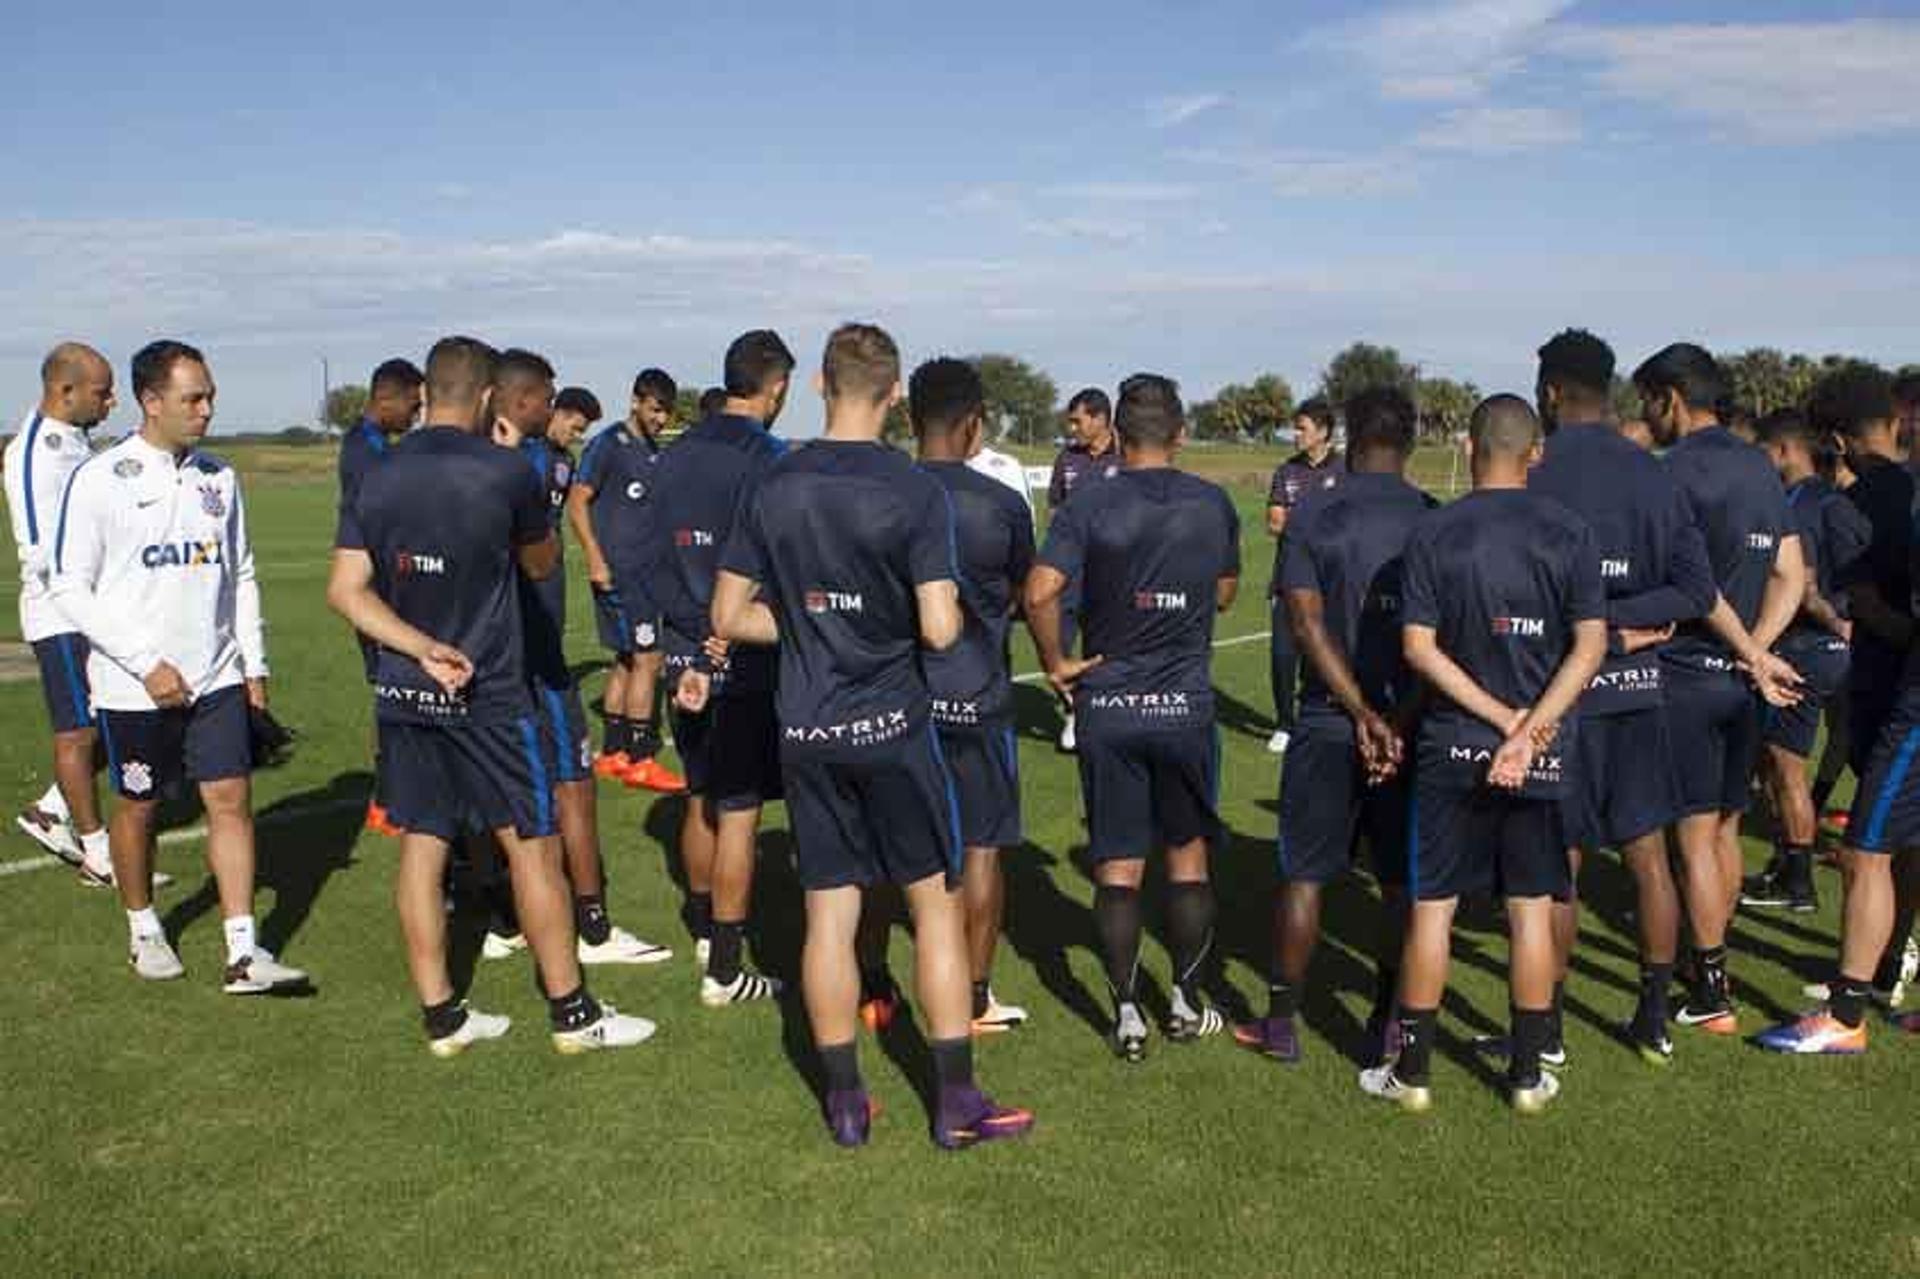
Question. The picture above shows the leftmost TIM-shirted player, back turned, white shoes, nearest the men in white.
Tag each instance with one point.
(427, 564)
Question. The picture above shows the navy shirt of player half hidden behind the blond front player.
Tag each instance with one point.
(994, 533)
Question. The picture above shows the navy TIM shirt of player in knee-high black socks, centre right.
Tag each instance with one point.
(1149, 550)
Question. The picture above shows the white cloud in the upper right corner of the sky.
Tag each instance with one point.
(1765, 82)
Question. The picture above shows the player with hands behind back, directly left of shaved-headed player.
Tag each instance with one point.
(1347, 769)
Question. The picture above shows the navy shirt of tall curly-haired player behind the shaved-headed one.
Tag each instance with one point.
(1652, 558)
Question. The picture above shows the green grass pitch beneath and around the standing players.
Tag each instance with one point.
(180, 1132)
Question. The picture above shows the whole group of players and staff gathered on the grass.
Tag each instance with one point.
(1589, 652)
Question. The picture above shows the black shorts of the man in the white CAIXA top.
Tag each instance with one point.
(149, 752)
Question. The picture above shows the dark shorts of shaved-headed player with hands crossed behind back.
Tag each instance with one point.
(1487, 842)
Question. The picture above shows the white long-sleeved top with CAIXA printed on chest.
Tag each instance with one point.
(153, 564)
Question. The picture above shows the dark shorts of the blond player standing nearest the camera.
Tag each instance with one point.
(890, 819)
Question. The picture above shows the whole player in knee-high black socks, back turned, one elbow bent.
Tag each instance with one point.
(1157, 554)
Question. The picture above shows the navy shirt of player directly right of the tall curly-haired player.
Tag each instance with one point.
(1742, 514)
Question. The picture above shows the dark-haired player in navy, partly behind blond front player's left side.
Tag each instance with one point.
(723, 702)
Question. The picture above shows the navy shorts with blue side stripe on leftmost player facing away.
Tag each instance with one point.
(466, 781)
